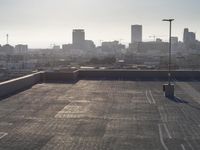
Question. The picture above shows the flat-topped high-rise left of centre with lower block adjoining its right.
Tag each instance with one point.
(78, 37)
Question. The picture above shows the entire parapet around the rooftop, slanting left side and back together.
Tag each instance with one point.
(12, 86)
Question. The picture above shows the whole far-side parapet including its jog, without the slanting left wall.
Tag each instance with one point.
(118, 74)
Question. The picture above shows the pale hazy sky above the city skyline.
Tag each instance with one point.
(41, 23)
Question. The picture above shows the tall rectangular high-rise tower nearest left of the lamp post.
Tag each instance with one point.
(136, 33)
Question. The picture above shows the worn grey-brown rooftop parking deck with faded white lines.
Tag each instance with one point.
(102, 115)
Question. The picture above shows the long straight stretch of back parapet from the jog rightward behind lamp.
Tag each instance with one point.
(137, 75)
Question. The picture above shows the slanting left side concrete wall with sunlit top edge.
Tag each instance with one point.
(12, 86)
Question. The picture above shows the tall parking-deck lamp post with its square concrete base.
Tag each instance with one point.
(169, 89)
